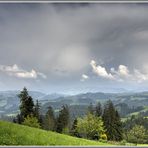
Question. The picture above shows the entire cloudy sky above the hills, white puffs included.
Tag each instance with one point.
(74, 48)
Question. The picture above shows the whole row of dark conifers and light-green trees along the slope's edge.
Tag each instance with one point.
(100, 122)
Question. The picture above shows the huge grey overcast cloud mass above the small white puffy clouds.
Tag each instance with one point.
(60, 40)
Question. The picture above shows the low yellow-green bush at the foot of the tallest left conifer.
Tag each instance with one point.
(31, 121)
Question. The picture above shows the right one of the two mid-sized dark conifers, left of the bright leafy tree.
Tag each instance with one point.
(63, 119)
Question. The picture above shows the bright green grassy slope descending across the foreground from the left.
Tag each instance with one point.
(14, 134)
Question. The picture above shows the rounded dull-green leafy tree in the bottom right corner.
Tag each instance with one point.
(137, 134)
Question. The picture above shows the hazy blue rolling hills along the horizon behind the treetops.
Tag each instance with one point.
(9, 101)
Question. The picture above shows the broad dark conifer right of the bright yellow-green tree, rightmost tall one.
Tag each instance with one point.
(112, 122)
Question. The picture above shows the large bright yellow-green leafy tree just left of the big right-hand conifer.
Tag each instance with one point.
(90, 127)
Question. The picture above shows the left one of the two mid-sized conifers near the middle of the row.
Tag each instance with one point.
(49, 119)
